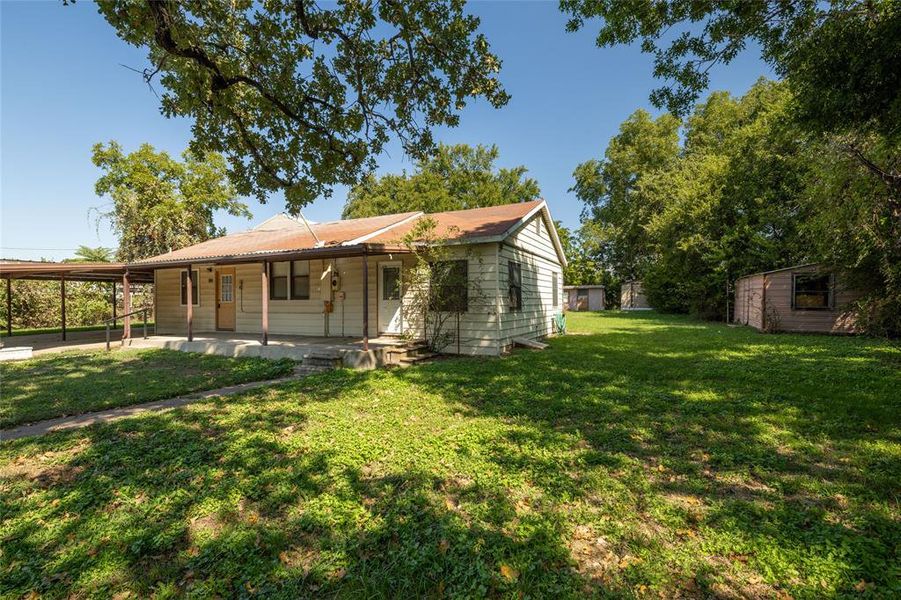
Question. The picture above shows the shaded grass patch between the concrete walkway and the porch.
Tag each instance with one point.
(71, 383)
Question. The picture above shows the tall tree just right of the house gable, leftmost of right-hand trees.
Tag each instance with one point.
(611, 189)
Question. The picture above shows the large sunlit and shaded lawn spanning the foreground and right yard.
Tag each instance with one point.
(642, 456)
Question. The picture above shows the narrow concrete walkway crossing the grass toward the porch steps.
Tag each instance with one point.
(114, 414)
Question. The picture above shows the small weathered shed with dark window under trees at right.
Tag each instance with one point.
(803, 298)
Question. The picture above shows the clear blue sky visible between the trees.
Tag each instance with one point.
(62, 89)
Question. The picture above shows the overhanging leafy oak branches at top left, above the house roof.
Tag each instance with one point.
(299, 97)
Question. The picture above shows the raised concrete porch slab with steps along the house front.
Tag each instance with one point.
(349, 352)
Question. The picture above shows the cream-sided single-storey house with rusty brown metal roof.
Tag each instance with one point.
(289, 277)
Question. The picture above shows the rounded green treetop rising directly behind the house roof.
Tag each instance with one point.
(455, 178)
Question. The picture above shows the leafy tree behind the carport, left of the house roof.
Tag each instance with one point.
(159, 203)
